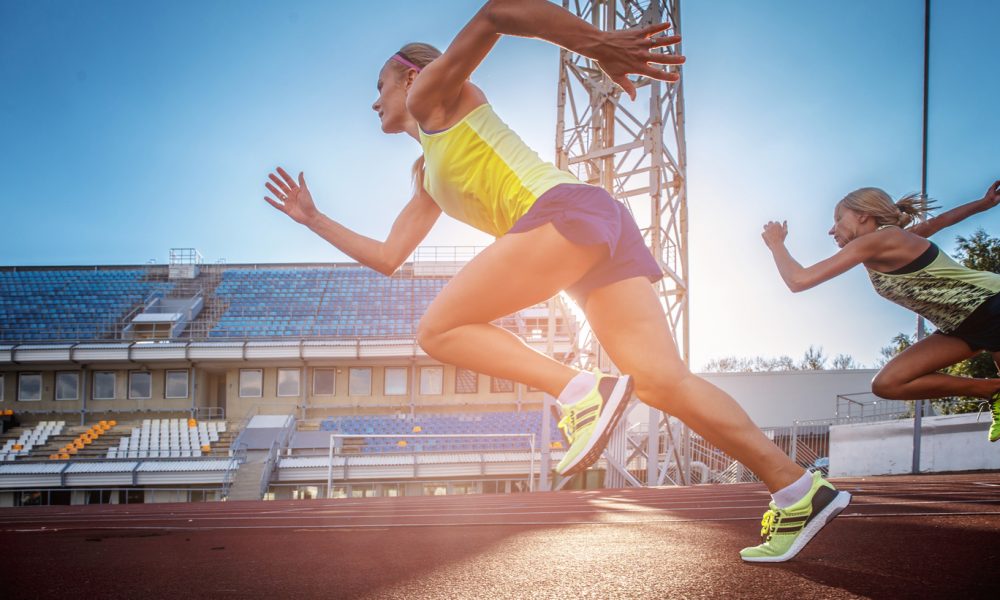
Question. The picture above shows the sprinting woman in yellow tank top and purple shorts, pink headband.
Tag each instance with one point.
(553, 233)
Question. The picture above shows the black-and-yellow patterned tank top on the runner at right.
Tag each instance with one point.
(937, 288)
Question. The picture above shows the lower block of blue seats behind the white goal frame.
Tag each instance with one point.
(493, 423)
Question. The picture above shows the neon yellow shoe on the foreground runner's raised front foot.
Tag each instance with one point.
(588, 423)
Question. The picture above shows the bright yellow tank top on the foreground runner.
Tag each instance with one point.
(480, 172)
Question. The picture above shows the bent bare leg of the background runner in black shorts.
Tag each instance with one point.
(912, 374)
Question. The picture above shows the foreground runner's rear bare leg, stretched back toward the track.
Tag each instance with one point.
(628, 320)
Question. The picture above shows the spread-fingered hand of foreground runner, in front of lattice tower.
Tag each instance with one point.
(630, 51)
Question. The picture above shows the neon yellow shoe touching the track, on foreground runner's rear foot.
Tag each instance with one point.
(785, 531)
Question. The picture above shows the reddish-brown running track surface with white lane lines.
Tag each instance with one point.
(934, 536)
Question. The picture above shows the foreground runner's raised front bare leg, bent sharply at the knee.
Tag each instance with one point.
(518, 271)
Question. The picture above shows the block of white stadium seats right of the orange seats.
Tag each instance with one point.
(169, 438)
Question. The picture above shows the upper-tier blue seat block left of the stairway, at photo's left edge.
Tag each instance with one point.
(69, 304)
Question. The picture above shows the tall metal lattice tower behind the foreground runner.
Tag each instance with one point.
(636, 151)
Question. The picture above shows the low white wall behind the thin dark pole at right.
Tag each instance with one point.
(948, 443)
